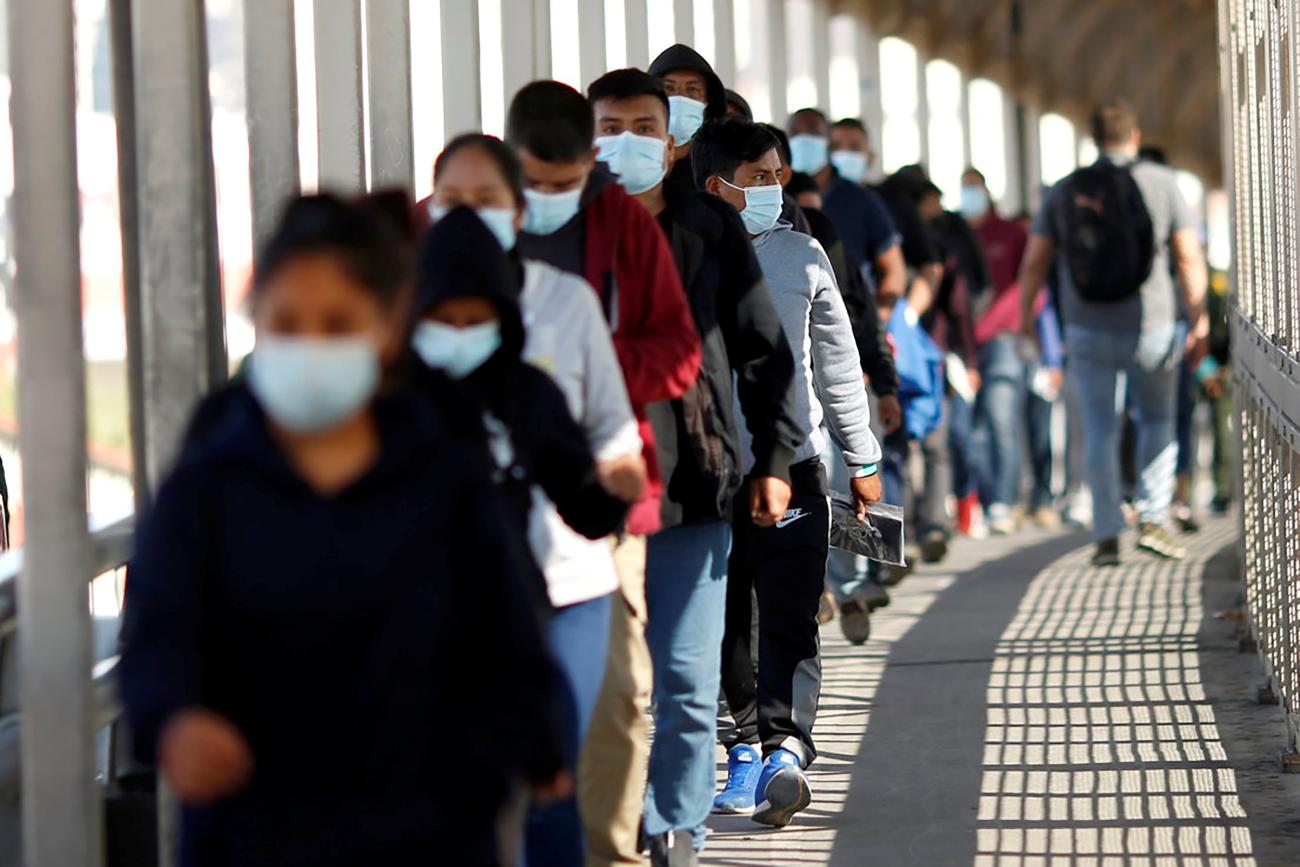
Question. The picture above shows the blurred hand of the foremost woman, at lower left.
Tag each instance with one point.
(203, 757)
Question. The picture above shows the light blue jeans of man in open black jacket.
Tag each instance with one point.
(687, 604)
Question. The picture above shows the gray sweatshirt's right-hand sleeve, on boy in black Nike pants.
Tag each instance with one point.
(838, 372)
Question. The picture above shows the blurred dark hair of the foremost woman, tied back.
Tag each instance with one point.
(370, 237)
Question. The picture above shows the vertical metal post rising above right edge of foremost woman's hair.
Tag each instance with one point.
(388, 40)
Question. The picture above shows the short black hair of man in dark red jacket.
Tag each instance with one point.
(552, 122)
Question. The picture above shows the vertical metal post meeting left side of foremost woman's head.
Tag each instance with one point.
(271, 94)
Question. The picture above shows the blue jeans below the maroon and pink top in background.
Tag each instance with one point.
(996, 439)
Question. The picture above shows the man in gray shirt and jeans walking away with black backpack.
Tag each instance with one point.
(1119, 227)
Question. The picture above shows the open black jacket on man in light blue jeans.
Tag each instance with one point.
(743, 343)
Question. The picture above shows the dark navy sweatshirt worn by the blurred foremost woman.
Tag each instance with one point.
(356, 641)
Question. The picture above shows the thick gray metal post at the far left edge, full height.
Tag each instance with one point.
(60, 809)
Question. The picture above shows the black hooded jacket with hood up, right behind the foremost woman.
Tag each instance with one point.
(462, 259)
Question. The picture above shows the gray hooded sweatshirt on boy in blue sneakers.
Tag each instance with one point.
(829, 383)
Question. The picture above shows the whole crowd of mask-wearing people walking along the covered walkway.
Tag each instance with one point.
(543, 462)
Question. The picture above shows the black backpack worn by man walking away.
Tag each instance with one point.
(1110, 239)
